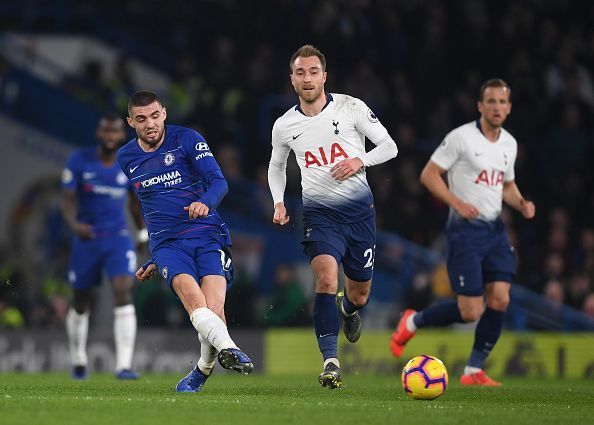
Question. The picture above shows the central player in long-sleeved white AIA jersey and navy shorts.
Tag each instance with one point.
(327, 133)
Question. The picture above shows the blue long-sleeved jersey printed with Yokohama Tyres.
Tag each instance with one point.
(171, 178)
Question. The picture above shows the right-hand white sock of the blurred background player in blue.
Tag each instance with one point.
(124, 330)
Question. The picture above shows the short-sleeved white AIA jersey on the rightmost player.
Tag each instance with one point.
(476, 167)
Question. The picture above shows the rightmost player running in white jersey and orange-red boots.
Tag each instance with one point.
(479, 160)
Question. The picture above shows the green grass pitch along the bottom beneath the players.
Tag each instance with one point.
(48, 399)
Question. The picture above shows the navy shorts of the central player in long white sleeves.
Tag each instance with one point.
(352, 244)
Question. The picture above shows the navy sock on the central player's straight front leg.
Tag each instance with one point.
(326, 324)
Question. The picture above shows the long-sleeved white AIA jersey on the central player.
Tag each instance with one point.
(338, 132)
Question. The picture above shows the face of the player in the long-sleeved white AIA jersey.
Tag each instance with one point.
(308, 78)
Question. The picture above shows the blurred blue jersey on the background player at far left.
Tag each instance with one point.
(101, 192)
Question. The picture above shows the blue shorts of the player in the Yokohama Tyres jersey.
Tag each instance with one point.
(196, 257)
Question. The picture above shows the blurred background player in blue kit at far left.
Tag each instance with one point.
(95, 192)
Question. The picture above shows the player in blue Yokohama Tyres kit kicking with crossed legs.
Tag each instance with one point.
(179, 185)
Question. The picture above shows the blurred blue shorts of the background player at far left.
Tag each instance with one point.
(115, 255)
